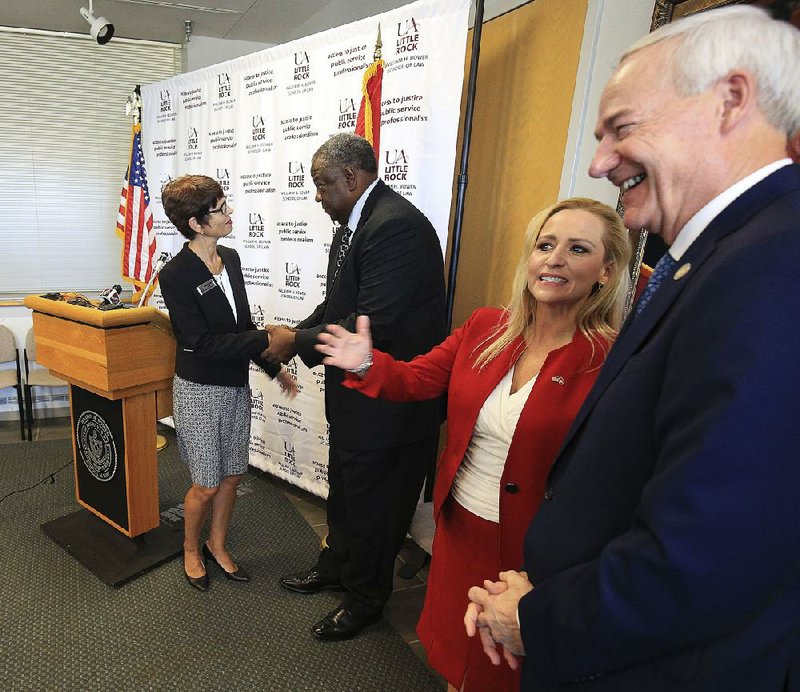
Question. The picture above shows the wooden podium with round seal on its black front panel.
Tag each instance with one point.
(119, 364)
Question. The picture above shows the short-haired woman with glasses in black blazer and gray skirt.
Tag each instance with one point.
(204, 291)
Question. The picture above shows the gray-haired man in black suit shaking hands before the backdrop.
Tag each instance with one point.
(385, 262)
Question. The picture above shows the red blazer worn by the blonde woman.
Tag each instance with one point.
(563, 383)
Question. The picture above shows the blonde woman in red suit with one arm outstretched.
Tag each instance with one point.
(515, 379)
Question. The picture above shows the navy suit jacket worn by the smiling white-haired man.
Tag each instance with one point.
(667, 553)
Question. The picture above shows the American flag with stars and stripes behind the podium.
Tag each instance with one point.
(135, 219)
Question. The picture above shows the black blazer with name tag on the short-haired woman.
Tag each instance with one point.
(213, 347)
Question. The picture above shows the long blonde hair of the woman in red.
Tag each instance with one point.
(601, 312)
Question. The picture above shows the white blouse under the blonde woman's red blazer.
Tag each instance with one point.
(476, 486)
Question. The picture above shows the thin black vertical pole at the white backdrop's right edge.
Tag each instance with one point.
(463, 177)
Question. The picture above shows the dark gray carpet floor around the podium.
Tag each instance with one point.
(61, 628)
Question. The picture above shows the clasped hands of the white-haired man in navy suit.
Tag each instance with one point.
(492, 615)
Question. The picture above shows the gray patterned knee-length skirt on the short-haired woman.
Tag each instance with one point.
(212, 424)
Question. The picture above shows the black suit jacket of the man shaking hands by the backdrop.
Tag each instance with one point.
(393, 273)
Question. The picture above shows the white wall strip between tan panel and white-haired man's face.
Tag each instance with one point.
(611, 26)
